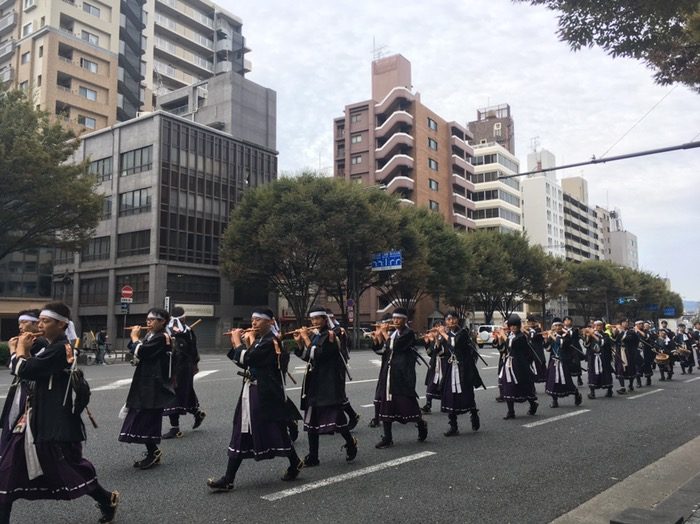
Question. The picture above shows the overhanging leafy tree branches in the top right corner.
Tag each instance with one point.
(665, 35)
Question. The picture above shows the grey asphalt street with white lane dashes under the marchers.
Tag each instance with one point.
(530, 469)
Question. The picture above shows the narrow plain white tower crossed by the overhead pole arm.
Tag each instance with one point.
(543, 204)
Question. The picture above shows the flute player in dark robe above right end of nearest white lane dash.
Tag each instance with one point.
(396, 388)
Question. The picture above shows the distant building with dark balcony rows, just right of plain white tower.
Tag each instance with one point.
(581, 230)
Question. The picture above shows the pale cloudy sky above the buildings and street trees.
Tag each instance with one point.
(471, 54)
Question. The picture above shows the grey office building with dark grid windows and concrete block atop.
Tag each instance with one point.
(170, 183)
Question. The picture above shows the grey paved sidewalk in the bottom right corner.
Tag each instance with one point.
(665, 492)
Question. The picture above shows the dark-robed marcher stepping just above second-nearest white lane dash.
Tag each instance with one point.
(559, 382)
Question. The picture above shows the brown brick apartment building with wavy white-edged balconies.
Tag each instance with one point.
(395, 141)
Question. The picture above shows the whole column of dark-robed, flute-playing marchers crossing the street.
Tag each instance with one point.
(43, 430)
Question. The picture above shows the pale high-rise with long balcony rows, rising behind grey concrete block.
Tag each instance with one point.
(190, 40)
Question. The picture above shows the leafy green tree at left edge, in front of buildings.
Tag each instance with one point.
(46, 200)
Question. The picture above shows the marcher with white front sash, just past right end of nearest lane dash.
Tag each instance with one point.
(461, 374)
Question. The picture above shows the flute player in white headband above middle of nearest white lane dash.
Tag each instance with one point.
(323, 389)
